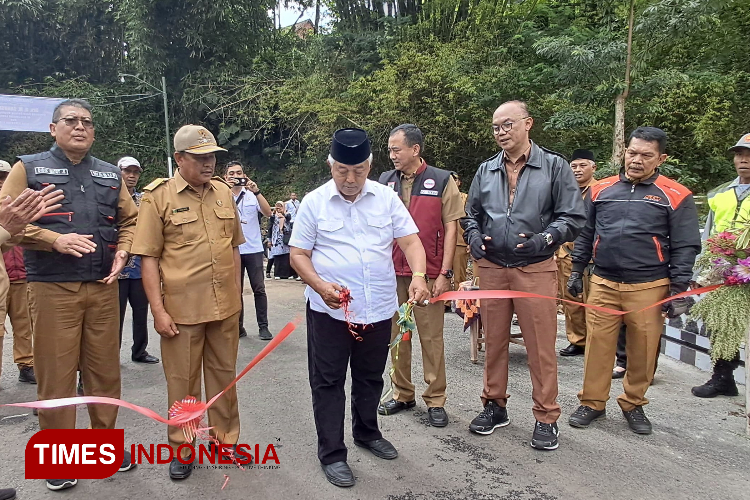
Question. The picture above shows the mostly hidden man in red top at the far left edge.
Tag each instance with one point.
(17, 305)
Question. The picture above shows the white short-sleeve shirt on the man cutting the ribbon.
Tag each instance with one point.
(352, 244)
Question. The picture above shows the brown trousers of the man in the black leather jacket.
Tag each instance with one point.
(538, 321)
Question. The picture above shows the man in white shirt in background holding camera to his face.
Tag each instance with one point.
(250, 204)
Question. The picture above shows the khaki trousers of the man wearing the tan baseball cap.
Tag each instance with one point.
(211, 346)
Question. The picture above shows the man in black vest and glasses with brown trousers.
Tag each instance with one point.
(73, 257)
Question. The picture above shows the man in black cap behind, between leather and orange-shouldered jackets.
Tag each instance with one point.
(583, 165)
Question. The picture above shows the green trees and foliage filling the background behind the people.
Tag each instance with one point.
(274, 99)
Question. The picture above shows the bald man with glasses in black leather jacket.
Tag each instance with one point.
(523, 203)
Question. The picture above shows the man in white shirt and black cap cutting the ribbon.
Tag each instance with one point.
(342, 238)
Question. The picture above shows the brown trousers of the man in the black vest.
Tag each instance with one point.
(76, 324)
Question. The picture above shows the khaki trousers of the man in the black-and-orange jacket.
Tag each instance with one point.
(643, 335)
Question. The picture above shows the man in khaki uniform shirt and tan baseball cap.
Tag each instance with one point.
(188, 236)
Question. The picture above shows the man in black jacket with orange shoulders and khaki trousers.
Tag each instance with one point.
(642, 233)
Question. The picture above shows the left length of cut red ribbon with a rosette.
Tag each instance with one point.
(188, 412)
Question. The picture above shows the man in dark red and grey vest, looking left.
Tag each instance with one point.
(434, 202)
